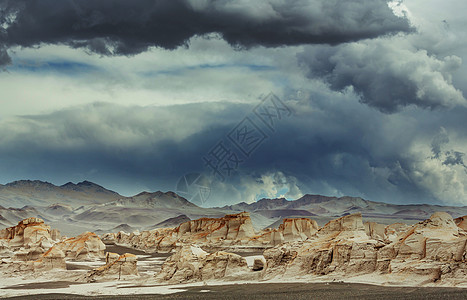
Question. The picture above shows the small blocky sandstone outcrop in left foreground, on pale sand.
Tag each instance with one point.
(116, 266)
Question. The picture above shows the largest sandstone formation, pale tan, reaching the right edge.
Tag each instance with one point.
(431, 251)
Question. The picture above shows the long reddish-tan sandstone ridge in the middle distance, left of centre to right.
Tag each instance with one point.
(215, 233)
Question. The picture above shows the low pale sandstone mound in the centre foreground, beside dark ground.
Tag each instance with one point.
(191, 264)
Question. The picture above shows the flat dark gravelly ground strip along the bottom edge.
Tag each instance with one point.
(293, 291)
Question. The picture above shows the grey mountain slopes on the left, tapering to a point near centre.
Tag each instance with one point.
(86, 205)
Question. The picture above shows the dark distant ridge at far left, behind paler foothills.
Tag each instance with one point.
(43, 194)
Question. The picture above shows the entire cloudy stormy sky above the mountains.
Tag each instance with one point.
(247, 99)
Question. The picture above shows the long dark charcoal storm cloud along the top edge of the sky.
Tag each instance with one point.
(121, 27)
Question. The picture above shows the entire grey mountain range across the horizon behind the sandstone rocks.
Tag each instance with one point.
(74, 208)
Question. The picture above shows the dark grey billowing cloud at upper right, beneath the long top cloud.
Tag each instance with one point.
(386, 73)
